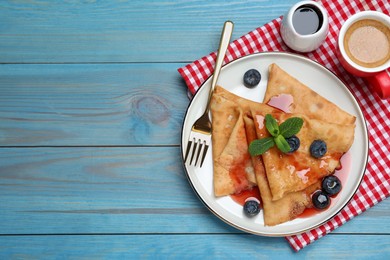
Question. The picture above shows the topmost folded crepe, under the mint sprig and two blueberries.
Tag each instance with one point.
(290, 172)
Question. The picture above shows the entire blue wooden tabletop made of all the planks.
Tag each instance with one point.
(91, 108)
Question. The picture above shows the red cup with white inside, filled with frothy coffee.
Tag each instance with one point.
(364, 49)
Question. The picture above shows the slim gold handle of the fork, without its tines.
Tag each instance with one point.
(223, 45)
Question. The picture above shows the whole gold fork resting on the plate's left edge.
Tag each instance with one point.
(200, 136)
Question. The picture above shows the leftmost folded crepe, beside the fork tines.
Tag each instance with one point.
(232, 165)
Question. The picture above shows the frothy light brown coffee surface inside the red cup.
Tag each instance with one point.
(367, 43)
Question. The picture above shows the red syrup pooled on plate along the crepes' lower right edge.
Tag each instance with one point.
(341, 173)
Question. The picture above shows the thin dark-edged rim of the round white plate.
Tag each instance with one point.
(351, 195)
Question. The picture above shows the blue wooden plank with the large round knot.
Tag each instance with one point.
(91, 104)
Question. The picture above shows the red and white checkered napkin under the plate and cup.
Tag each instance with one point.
(376, 183)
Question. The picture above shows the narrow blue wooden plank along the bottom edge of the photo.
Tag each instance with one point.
(188, 246)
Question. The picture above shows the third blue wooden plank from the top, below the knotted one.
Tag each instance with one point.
(114, 190)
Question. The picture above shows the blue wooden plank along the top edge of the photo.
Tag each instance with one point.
(123, 31)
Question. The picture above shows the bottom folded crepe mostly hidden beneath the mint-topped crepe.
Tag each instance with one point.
(286, 208)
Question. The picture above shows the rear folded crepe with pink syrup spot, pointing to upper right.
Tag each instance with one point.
(292, 96)
